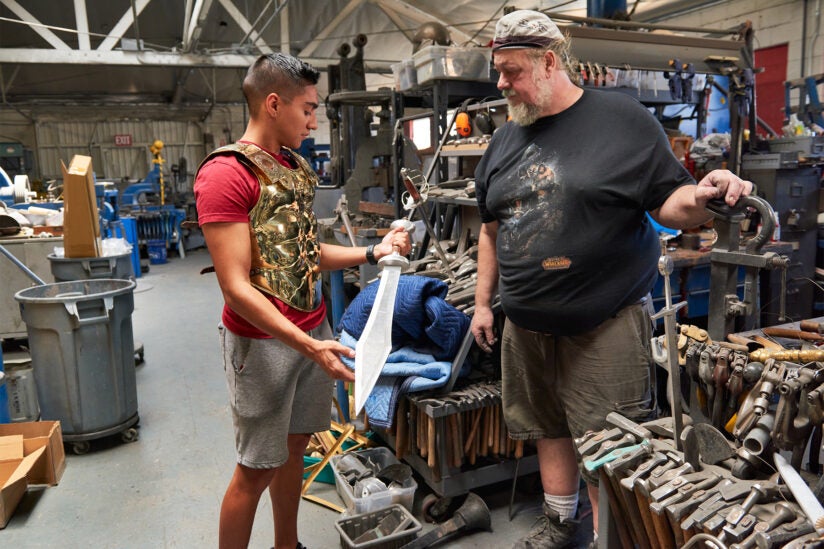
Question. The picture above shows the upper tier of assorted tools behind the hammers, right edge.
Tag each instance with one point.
(762, 395)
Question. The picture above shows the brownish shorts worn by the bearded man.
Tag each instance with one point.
(557, 387)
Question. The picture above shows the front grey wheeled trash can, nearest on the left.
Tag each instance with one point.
(82, 351)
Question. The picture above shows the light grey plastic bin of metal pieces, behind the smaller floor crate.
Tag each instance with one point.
(381, 457)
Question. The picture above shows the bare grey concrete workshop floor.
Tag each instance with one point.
(165, 489)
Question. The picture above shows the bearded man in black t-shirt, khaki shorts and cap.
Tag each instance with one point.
(563, 190)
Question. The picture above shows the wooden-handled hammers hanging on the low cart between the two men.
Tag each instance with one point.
(465, 425)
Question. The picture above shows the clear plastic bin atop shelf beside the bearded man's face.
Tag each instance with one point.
(450, 62)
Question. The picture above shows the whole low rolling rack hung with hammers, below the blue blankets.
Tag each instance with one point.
(458, 441)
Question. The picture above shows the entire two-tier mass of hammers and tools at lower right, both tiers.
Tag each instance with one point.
(718, 480)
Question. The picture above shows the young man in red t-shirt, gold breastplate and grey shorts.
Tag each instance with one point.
(254, 201)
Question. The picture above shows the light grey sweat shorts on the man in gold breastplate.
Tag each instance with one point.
(274, 391)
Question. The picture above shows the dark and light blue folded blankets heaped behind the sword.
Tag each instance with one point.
(426, 335)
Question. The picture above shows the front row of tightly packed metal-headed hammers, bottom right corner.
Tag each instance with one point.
(663, 498)
